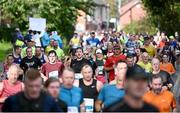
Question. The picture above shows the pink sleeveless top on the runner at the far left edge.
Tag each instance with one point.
(9, 89)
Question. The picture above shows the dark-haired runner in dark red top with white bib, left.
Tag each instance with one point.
(53, 68)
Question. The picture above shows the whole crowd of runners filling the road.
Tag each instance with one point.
(104, 71)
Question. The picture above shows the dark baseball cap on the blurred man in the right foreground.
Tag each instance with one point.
(136, 73)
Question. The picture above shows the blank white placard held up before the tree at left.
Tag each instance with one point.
(38, 24)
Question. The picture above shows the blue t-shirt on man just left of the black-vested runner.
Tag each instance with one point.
(72, 97)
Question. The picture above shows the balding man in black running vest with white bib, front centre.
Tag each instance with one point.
(90, 87)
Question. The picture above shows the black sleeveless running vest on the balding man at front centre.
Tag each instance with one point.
(89, 91)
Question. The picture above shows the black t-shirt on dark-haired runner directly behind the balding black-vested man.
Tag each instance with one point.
(77, 65)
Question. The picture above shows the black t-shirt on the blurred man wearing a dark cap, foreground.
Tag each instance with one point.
(122, 106)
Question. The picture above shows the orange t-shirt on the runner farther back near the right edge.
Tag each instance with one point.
(168, 68)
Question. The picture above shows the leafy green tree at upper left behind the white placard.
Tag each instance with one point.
(61, 15)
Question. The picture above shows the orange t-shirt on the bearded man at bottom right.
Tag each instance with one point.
(164, 101)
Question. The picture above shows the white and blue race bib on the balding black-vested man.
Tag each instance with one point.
(89, 104)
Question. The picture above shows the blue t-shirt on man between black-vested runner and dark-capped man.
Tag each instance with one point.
(110, 94)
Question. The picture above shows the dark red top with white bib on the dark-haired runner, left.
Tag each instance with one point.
(52, 70)
